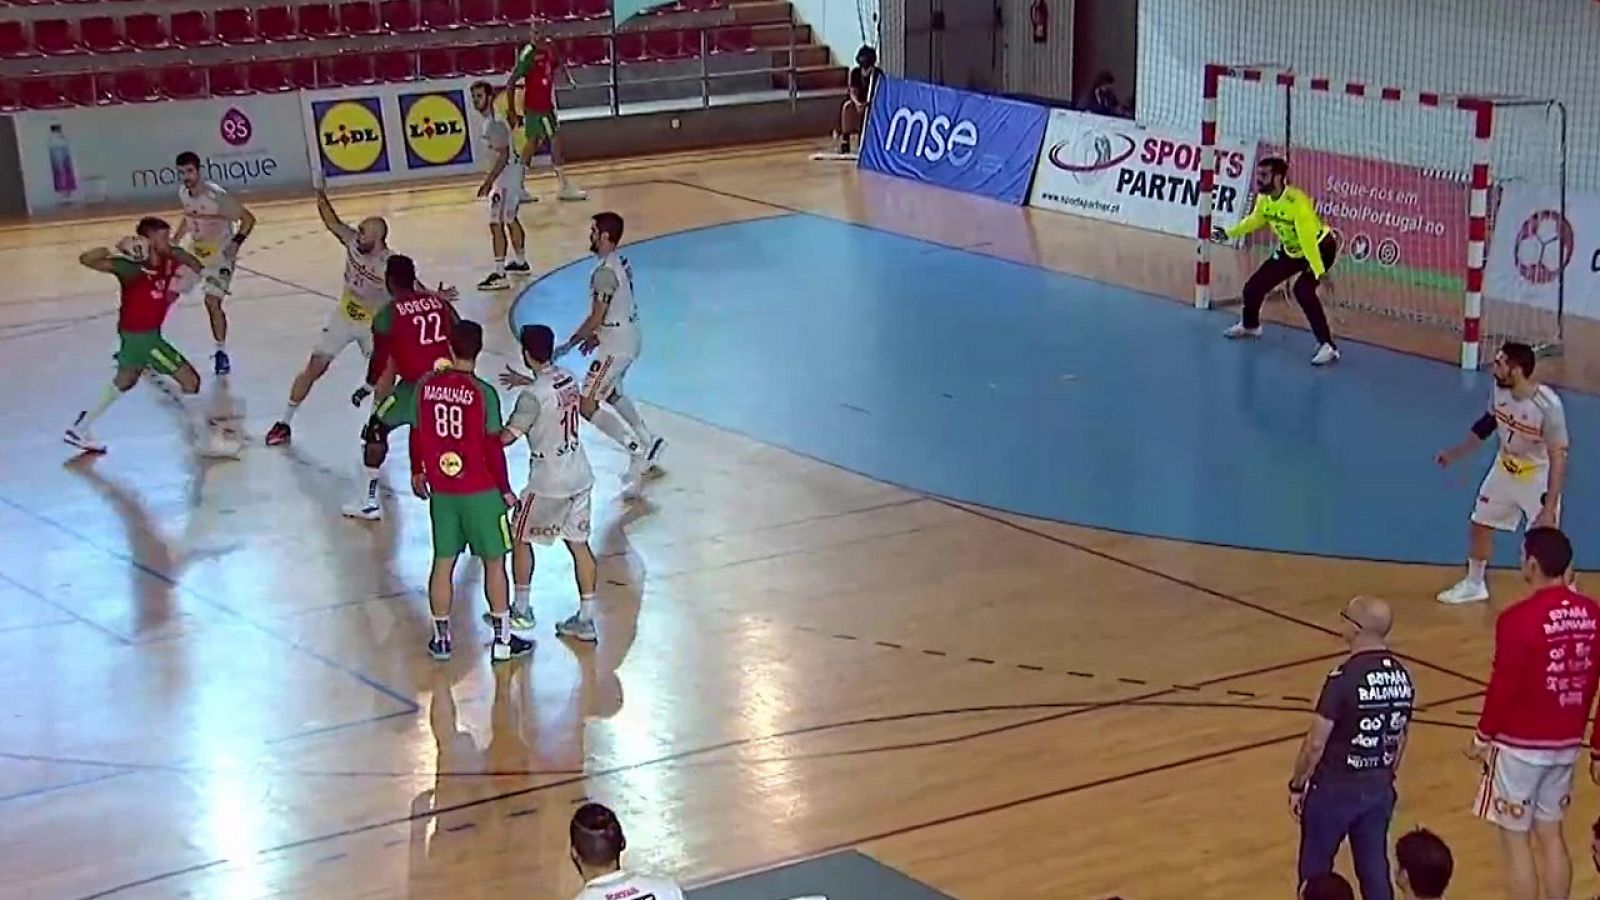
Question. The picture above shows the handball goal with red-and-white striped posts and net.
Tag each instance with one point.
(1412, 183)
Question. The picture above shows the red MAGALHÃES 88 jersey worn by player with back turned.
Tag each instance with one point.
(455, 443)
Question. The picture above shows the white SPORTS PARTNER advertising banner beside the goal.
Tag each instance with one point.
(1119, 172)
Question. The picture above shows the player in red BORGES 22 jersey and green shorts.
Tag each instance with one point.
(414, 332)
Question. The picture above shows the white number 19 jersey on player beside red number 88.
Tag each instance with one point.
(548, 416)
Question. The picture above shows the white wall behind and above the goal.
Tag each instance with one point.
(1535, 49)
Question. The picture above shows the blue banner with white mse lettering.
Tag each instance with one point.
(966, 142)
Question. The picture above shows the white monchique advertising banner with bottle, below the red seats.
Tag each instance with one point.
(119, 155)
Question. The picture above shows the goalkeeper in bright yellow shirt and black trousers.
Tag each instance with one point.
(1306, 252)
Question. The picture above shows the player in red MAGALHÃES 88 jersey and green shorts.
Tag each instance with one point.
(458, 465)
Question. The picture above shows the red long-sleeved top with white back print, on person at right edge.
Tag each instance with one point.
(1545, 675)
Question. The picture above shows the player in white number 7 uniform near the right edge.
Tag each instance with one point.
(1530, 468)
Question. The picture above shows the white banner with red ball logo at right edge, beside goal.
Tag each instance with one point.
(1534, 244)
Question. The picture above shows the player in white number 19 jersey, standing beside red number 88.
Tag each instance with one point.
(558, 499)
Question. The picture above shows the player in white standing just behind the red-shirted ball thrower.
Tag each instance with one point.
(218, 227)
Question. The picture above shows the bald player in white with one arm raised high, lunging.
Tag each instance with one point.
(351, 321)
